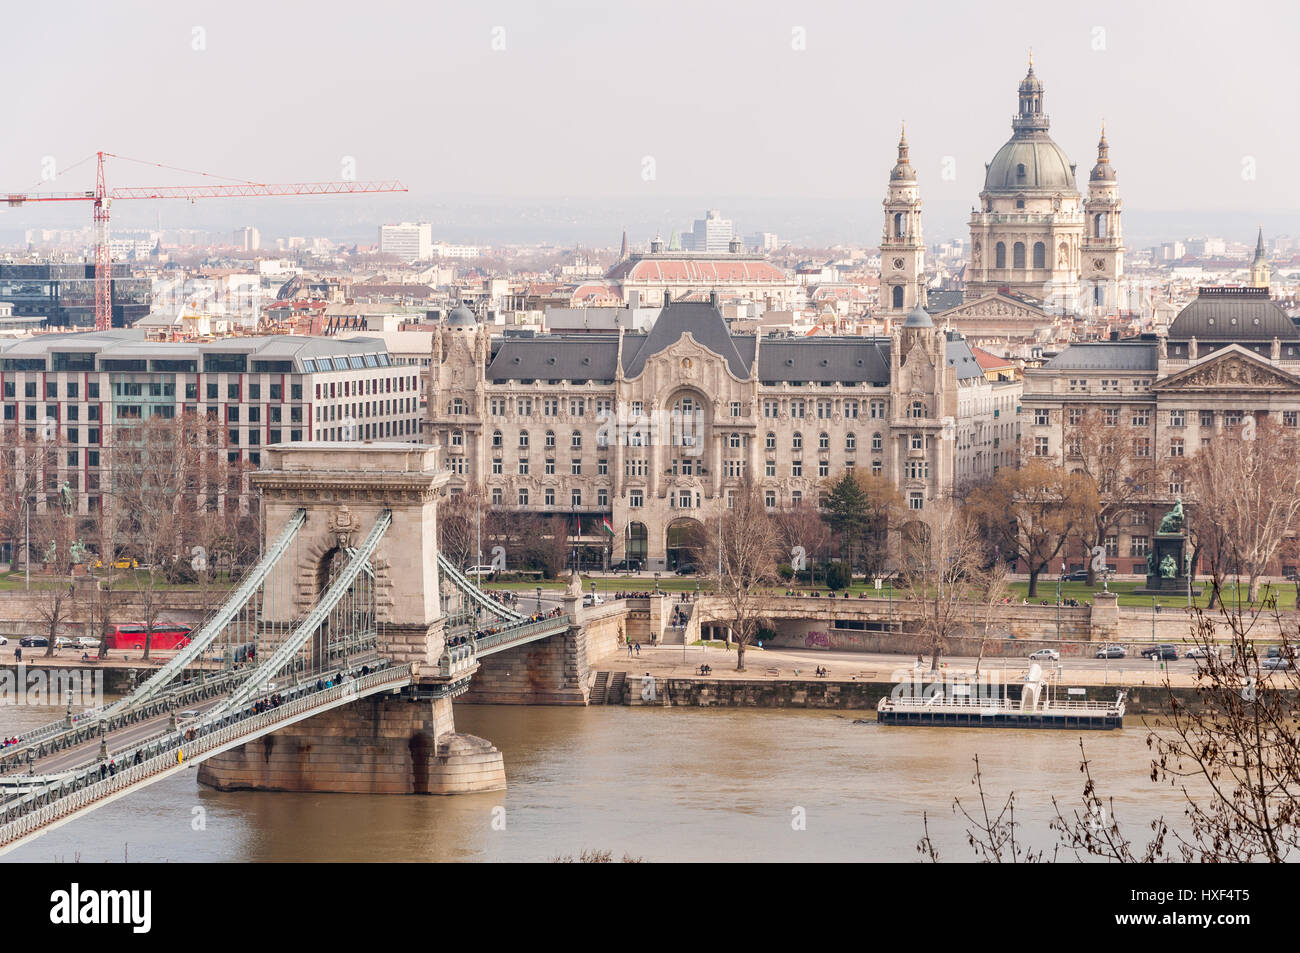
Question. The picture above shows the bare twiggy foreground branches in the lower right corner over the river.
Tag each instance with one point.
(1234, 755)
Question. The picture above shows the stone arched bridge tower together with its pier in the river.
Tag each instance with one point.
(395, 744)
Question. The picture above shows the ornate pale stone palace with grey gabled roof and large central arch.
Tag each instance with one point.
(656, 431)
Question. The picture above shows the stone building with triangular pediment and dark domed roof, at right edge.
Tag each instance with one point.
(1230, 354)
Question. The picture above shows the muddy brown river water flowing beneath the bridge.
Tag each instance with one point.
(662, 785)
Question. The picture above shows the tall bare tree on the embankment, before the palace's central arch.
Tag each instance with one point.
(742, 564)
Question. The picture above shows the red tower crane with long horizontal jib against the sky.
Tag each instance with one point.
(103, 198)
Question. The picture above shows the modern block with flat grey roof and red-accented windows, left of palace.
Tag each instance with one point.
(75, 391)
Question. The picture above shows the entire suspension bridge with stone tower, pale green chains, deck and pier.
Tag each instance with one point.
(332, 668)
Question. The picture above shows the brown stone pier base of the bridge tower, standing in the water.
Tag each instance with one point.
(379, 746)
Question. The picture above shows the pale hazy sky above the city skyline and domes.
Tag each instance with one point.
(1197, 97)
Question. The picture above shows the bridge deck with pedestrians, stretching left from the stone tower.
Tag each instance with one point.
(25, 817)
